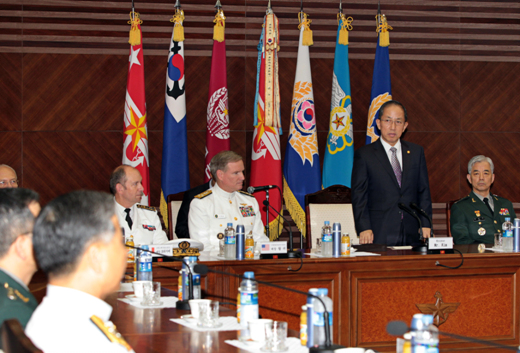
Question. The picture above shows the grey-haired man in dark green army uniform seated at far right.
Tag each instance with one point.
(478, 216)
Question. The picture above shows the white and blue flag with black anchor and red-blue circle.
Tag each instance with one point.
(175, 170)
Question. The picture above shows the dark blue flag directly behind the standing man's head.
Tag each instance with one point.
(381, 87)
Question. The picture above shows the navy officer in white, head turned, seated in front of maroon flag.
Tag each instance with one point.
(212, 210)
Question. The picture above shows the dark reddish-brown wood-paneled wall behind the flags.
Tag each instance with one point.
(63, 69)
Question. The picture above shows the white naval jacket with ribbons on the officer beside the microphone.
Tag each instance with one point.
(211, 211)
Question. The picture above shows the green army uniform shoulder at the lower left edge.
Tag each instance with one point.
(16, 302)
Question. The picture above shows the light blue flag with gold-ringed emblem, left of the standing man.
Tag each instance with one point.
(339, 154)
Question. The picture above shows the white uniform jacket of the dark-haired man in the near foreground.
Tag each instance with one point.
(61, 323)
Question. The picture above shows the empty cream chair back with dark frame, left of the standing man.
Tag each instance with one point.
(332, 204)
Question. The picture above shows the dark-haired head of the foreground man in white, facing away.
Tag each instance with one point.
(78, 242)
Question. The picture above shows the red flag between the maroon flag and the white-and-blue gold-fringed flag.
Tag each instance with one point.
(266, 164)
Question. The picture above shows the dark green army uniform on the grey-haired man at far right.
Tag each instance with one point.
(472, 222)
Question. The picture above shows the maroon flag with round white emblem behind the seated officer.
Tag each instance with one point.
(217, 132)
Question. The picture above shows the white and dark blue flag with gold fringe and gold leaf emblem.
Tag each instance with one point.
(301, 168)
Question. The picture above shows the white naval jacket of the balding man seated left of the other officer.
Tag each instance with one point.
(146, 226)
